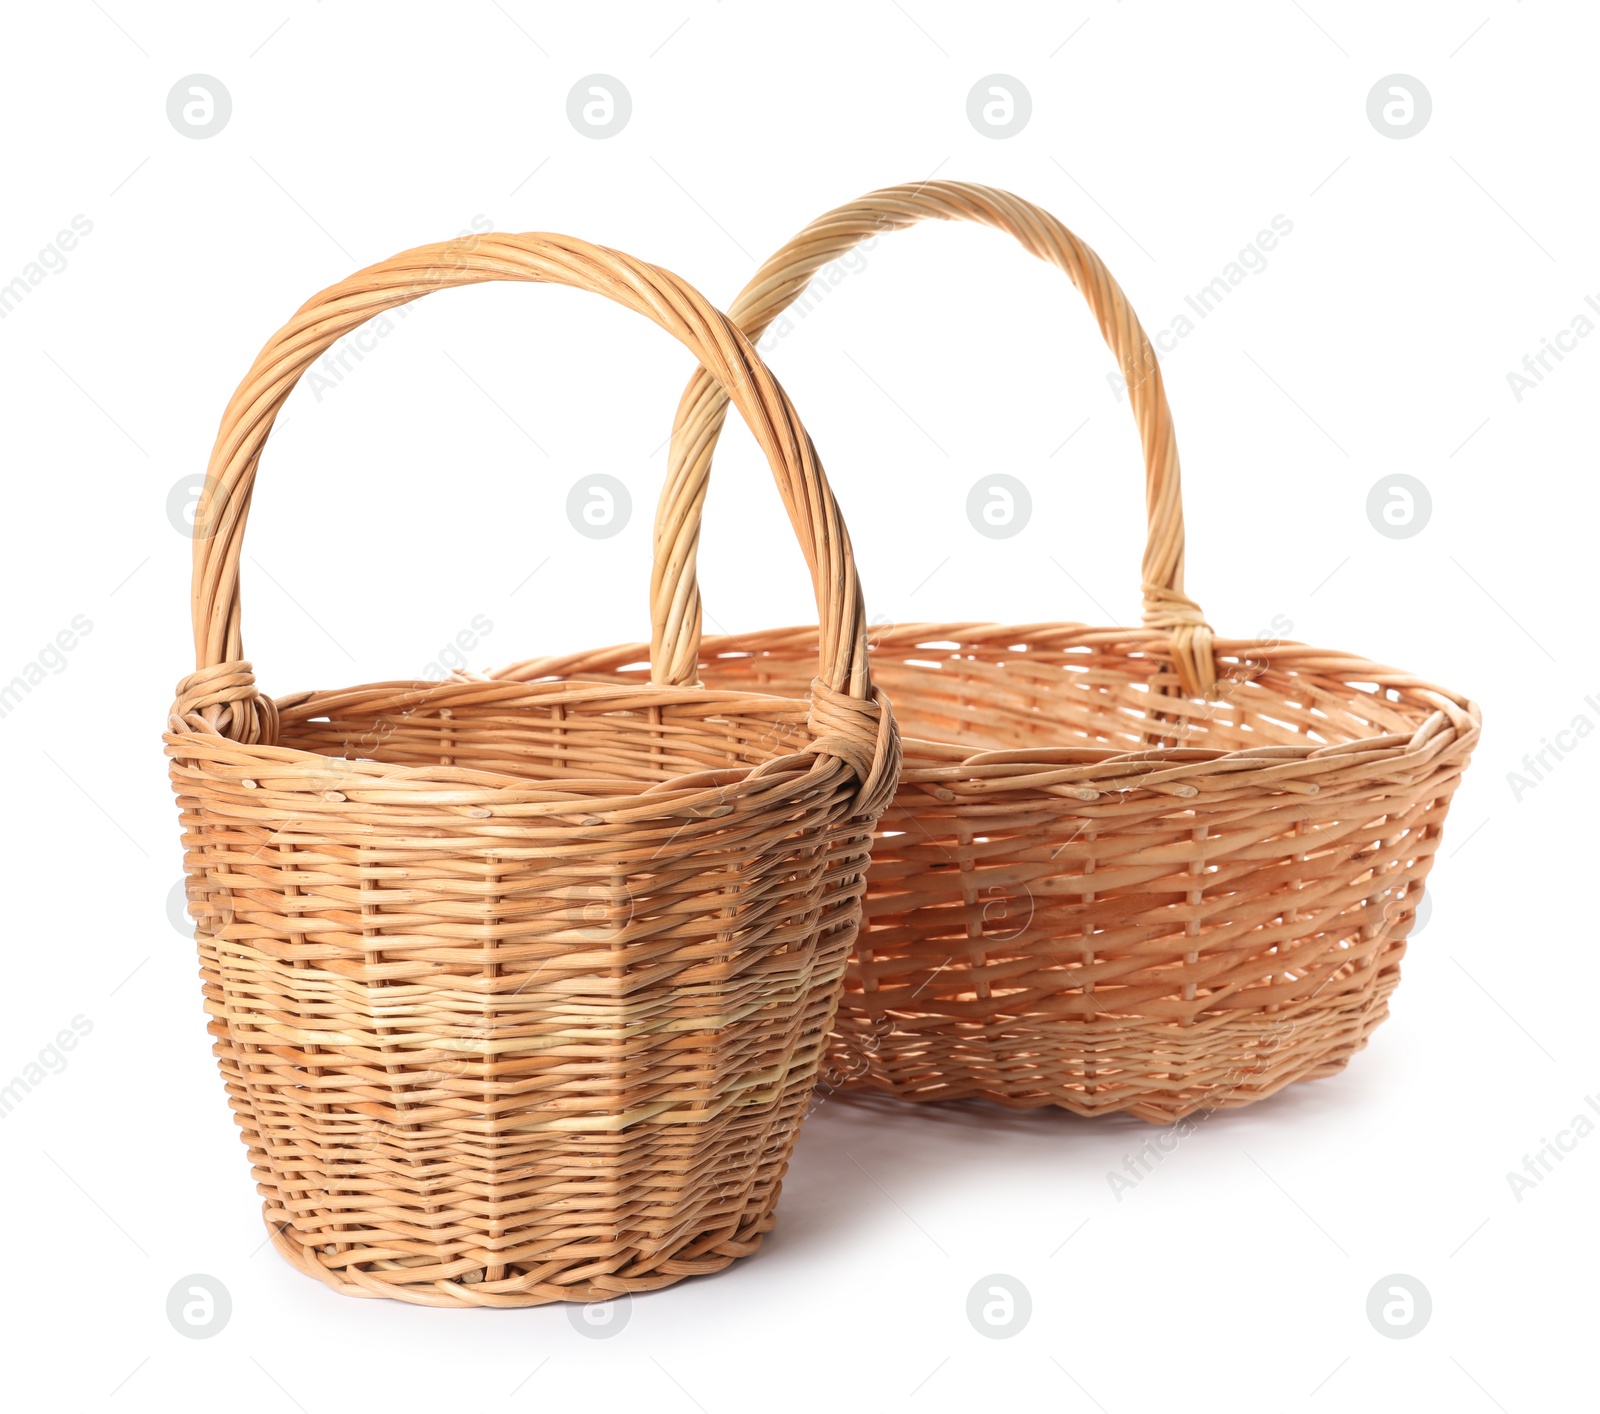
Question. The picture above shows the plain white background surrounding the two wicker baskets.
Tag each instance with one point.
(428, 485)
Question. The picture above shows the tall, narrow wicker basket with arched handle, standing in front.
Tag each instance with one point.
(521, 991)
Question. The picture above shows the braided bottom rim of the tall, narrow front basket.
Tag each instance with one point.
(350, 1276)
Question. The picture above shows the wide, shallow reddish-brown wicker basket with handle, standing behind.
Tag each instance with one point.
(1127, 869)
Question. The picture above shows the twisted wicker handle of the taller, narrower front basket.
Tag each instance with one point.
(849, 719)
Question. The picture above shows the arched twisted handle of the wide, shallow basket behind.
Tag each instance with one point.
(780, 282)
